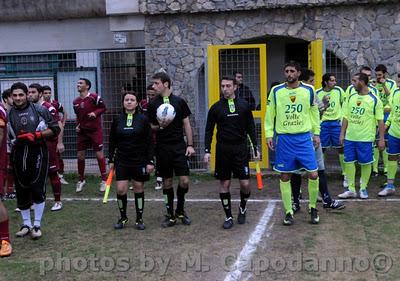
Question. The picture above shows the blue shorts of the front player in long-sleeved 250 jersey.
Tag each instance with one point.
(295, 152)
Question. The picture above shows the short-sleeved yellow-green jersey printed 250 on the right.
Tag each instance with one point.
(362, 113)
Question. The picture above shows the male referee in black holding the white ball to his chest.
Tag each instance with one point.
(171, 149)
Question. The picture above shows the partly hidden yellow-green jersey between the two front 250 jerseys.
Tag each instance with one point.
(336, 99)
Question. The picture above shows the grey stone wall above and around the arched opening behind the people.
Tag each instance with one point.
(356, 34)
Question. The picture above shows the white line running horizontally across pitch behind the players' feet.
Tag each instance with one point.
(199, 200)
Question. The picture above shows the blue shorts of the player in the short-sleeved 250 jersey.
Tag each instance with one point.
(363, 152)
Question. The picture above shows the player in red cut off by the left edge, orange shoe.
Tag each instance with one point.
(5, 245)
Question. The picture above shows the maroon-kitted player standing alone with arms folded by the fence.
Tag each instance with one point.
(88, 108)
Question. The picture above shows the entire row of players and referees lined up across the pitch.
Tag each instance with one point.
(155, 135)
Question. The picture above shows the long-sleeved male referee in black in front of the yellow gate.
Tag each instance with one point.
(235, 124)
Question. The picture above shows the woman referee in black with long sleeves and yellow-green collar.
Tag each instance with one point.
(131, 153)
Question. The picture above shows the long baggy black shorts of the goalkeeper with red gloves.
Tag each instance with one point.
(30, 174)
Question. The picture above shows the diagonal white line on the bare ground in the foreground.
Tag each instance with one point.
(251, 244)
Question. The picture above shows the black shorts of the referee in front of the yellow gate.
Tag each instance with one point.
(230, 159)
